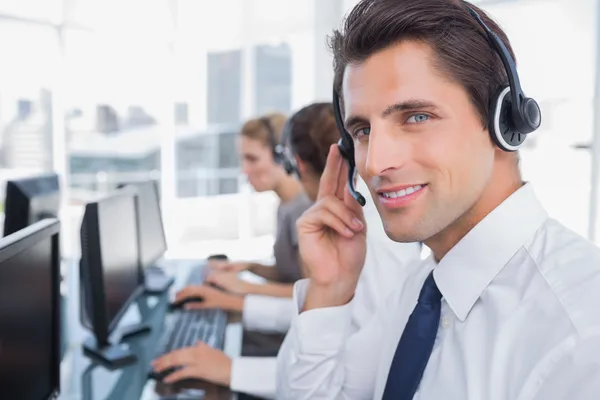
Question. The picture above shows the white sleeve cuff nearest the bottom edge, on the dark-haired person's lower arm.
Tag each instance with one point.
(254, 376)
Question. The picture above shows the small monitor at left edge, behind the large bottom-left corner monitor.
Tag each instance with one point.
(30, 200)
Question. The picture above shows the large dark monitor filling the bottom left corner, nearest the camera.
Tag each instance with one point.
(30, 317)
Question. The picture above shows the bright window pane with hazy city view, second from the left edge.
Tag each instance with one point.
(112, 113)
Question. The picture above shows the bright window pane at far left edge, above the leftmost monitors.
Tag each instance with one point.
(26, 100)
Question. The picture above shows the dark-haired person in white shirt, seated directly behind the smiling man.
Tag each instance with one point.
(312, 131)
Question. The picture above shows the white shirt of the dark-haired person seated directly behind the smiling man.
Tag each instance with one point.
(384, 262)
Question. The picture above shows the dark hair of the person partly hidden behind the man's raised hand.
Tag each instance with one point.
(312, 130)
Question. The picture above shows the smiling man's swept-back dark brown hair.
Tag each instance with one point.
(462, 51)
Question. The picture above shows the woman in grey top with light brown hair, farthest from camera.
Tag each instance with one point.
(258, 139)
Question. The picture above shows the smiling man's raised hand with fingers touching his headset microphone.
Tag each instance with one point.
(332, 238)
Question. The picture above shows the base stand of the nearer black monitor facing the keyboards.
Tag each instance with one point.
(114, 355)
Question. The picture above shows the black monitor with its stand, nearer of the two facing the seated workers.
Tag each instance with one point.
(110, 273)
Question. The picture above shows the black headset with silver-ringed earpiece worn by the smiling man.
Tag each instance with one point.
(511, 117)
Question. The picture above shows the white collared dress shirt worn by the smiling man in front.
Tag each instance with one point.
(520, 320)
